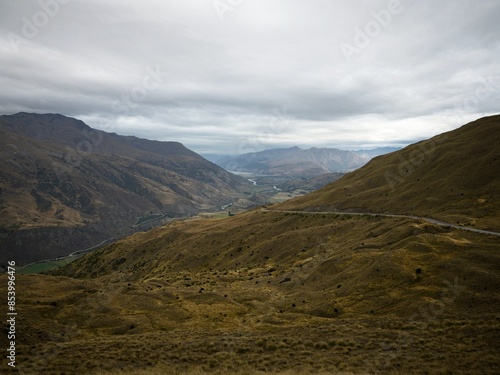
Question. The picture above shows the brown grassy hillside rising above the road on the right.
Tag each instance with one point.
(453, 176)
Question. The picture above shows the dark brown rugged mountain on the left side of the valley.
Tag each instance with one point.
(65, 186)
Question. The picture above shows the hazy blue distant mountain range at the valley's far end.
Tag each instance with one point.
(294, 162)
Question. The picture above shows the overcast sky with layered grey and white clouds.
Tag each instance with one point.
(235, 76)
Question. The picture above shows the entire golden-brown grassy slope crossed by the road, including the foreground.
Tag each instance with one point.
(298, 287)
